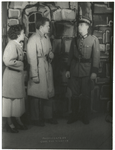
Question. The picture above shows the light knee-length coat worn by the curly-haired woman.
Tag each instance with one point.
(13, 79)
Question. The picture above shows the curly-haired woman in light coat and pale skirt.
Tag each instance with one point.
(13, 79)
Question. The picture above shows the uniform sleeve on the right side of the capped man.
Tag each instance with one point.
(96, 56)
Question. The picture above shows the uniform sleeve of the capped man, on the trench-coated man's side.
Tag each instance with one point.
(71, 54)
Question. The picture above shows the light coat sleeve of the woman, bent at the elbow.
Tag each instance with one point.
(10, 58)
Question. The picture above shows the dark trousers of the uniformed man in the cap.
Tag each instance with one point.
(81, 90)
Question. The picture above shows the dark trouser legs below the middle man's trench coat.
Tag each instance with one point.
(40, 108)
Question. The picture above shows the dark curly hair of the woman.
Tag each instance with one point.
(14, 31)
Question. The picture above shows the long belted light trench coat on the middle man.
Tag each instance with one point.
(37, 48)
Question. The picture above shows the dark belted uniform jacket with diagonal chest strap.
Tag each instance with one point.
(84, 56)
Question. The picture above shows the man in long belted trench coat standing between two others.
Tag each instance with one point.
(40, 85)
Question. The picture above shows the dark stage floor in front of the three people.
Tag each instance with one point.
(96, 135)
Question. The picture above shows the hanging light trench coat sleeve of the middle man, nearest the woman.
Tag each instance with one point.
(32, 57)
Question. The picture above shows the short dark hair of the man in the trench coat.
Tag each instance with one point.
(41, 22)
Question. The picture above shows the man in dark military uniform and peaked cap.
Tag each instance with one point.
(83, 63)
